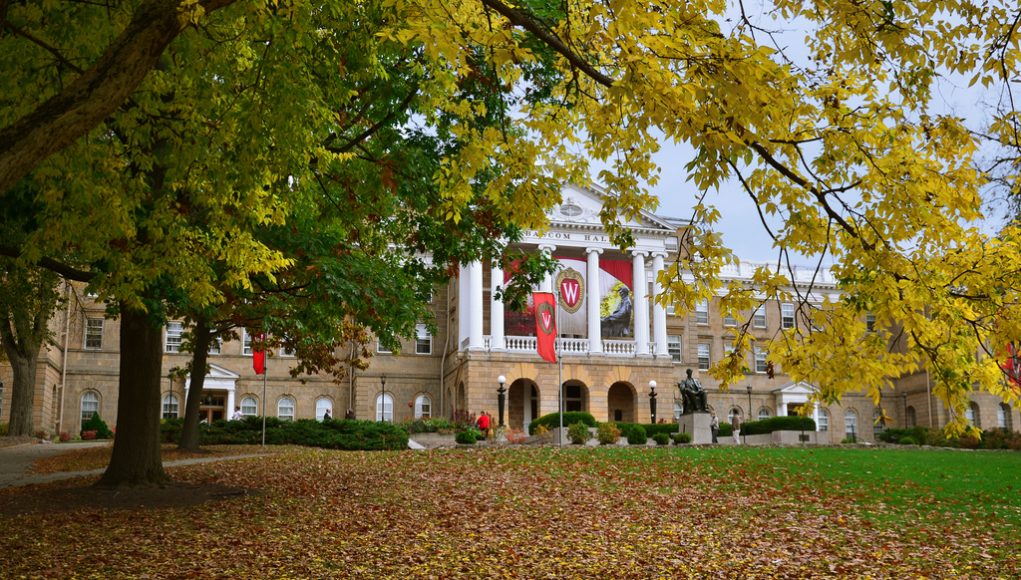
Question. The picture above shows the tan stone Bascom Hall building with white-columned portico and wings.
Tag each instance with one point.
(616, 344)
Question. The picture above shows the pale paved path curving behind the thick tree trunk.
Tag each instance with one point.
(16, 463)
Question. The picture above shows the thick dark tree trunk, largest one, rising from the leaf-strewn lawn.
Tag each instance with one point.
(136, 458)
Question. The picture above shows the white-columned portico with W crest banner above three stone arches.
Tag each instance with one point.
(611, 335)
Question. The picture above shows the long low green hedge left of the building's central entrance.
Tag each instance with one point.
(341, 434)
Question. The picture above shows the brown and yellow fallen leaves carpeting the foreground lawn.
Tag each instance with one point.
(509, 514)
